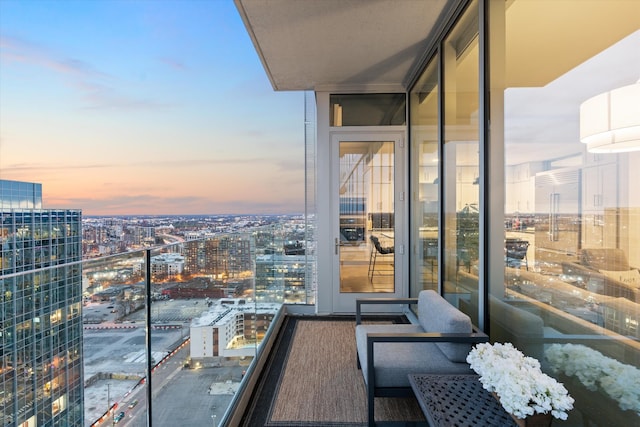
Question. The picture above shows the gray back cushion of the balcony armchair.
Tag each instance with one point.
(435, 314)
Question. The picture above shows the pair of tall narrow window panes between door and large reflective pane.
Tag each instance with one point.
(445, 168)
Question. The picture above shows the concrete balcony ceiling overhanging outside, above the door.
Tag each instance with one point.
(341, 45)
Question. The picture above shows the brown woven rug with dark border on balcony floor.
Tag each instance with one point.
(319, 383)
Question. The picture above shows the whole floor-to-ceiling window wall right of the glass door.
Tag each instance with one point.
(564, 101)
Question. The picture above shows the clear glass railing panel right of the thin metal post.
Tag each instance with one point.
(203, 290)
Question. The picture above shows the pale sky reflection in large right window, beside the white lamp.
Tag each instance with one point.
(542, 123)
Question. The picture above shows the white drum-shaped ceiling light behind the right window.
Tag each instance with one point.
(610, 122)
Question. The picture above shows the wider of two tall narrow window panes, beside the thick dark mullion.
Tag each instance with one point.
(461, 160)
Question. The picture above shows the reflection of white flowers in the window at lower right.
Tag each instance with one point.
(597, 371)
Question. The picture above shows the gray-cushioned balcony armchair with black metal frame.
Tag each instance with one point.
(439, 344)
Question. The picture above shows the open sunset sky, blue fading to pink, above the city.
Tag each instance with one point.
(145, 107)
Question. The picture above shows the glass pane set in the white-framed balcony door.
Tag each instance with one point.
(367, 219)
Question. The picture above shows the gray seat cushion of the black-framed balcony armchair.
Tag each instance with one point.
(395, 361)
